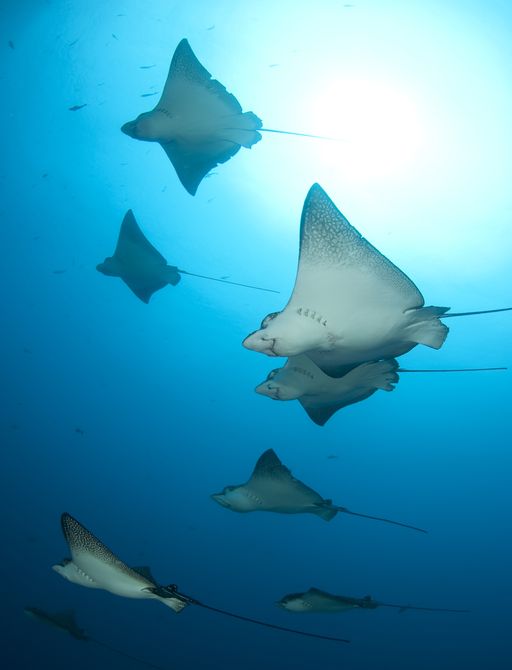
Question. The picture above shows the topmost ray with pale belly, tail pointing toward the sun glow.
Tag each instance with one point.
(197, 122)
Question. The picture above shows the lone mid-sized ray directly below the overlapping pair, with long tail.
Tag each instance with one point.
(273, 488)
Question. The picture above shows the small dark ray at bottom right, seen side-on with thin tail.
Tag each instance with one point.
(316, 601)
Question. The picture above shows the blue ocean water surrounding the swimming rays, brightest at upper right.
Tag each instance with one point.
(128, 416)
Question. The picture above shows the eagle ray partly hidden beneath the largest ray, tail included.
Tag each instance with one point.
(322, 396)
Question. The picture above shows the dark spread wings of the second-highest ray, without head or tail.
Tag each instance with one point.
(143, 269)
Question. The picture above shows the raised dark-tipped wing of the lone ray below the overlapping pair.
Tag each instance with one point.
(275, 485)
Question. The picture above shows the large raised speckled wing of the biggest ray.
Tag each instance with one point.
(341, 272)
